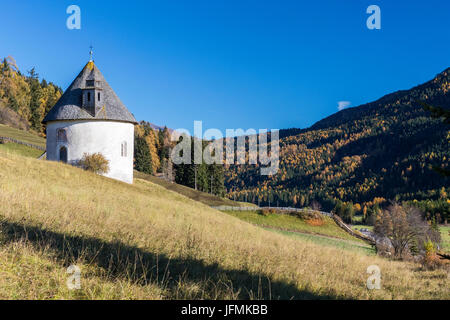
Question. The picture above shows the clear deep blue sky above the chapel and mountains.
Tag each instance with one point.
(234, 64)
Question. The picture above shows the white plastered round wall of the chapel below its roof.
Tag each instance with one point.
(88, 136)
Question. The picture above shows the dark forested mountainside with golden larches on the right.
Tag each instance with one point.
(362, 156)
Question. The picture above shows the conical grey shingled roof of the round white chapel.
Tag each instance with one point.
(69, 105)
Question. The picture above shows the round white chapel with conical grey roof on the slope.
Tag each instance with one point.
(90, 118)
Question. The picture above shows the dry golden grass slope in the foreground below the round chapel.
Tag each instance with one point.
(144, 241)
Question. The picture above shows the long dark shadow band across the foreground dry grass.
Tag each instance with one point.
(119, 260)
